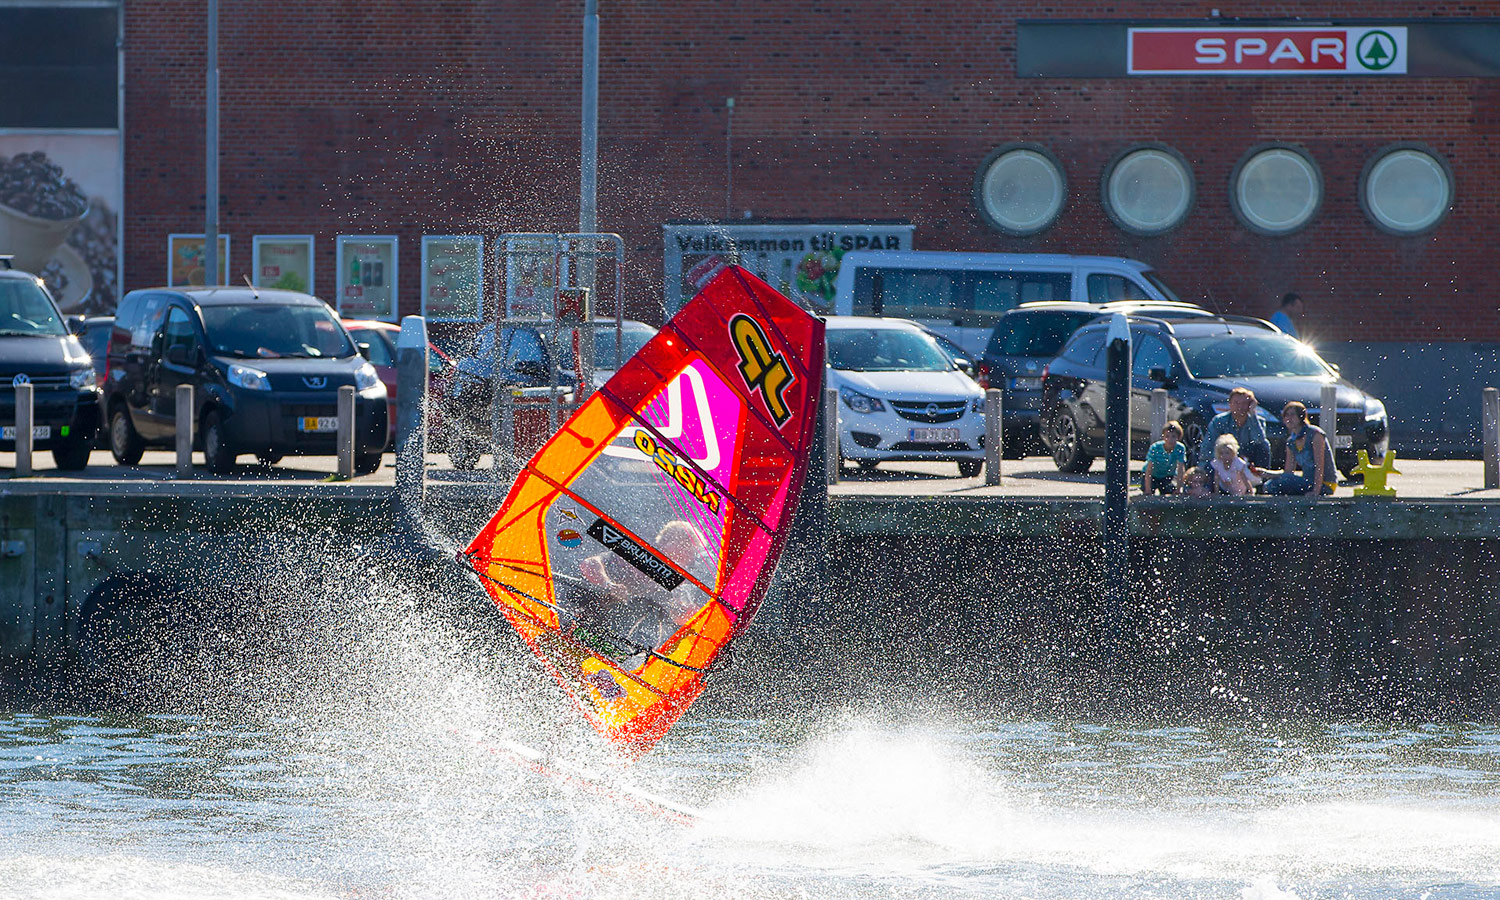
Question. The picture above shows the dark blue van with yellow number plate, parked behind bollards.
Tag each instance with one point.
(266, 367)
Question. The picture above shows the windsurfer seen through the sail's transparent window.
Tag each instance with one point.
(634, 604)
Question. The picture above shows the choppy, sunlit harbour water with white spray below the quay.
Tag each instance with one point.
(403, 802)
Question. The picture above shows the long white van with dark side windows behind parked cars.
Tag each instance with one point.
(962, 296)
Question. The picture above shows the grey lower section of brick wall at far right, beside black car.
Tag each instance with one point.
(1432, 391)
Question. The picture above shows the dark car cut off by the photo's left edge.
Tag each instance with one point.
(37, 349)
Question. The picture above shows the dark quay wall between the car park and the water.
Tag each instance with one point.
(1337, 607)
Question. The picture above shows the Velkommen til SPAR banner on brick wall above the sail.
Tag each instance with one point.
(797, 259)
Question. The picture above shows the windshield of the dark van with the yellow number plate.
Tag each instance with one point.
(265, 331)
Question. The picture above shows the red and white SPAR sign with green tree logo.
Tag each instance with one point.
(1268, 52)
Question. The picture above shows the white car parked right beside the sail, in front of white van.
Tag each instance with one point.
(901, 397)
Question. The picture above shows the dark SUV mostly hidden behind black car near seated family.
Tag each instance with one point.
(1028, 338)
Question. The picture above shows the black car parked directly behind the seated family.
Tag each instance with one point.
(1199, 361)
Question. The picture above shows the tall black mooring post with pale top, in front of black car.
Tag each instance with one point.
(1117, 467)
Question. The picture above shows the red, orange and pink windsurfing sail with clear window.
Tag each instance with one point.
(640, 541)
